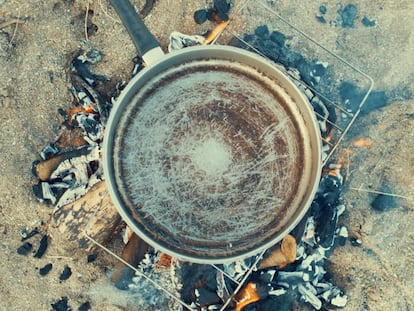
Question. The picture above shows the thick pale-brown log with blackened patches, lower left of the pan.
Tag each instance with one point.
(72, 219)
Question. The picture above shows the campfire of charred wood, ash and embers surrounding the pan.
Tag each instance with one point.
(70, 175)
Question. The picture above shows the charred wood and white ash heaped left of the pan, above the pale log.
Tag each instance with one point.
(71, 166)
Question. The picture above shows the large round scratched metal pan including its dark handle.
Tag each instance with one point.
(211, 154)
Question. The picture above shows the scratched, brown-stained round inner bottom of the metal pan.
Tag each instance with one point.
(209, 158)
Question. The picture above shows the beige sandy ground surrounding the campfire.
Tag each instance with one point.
(33, 54)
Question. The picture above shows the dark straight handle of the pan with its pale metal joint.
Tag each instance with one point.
(146, 44)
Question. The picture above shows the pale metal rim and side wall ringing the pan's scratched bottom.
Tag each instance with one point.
(312, 146)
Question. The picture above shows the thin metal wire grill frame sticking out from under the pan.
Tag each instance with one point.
(332, 145)
